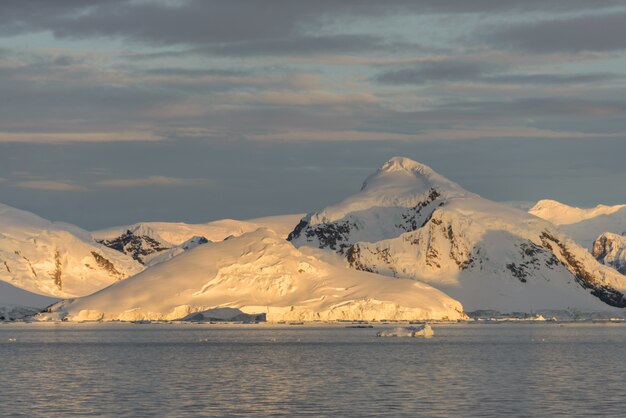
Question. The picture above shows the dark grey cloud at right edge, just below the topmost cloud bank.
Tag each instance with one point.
(606, 32)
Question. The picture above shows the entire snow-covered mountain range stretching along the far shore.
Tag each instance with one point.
(410, 244)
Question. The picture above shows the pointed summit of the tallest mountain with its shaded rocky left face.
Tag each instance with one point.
(397, 198)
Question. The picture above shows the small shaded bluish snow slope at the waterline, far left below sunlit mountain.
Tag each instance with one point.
(16, 303)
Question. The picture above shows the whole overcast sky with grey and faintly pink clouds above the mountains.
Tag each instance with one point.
(123, 111)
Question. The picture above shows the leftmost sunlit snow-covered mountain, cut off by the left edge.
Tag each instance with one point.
(56, 259)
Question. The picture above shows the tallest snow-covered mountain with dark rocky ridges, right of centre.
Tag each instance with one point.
(410, 222)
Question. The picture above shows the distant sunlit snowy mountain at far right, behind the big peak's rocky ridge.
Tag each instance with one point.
(583, 225)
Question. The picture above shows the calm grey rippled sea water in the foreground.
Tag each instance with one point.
(216, 370)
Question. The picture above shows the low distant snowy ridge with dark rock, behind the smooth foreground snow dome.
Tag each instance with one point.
(151, 243)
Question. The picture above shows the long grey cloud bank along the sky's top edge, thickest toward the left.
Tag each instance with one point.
(197, 22)
